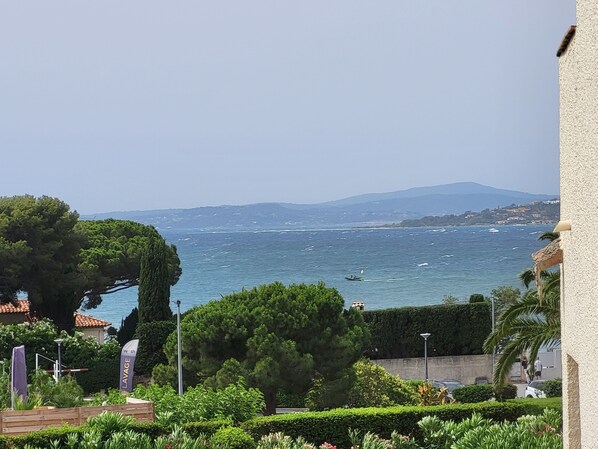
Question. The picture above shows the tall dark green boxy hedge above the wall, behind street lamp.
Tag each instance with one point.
(457, 329)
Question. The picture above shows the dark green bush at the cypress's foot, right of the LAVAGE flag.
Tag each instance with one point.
(152, 336)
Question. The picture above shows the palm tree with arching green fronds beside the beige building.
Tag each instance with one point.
(527, 324)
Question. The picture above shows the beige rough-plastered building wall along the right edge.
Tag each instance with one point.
(578, 72)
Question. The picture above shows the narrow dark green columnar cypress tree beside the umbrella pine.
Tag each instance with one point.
(154, 285)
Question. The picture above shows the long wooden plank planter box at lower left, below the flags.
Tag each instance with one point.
(16, 422)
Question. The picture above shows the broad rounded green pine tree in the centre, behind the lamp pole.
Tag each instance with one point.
(281, 336)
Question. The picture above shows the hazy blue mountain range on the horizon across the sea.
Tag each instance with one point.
(372, 209)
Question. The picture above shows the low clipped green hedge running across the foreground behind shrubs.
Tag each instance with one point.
(332, 426)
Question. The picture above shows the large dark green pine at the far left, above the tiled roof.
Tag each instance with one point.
(39, 253)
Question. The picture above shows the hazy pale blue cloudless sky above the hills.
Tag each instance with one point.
(121, 105)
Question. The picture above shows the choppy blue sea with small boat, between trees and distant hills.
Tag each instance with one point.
(399, 266)
